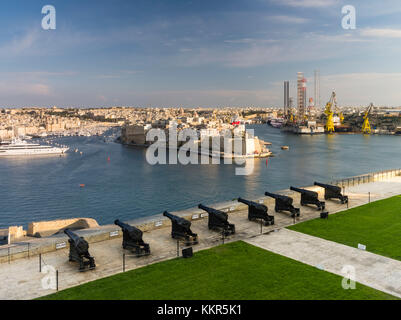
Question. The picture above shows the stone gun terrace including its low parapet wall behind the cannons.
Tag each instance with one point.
(21, 262)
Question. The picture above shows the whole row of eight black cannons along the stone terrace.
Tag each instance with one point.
(217, 221)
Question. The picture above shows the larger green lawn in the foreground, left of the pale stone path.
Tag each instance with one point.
(233, 271)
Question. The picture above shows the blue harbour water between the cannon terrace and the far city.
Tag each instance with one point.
(119, 183)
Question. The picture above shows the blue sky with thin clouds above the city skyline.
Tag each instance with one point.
(197, 53)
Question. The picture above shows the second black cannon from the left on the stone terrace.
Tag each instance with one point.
(132, 239)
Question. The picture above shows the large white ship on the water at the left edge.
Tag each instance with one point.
(22, 148)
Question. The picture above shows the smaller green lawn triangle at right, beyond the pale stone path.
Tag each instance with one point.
(376, 225)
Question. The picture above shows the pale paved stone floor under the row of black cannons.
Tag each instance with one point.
(21, 278)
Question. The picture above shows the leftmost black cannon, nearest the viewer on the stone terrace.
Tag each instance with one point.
(79, 251)
